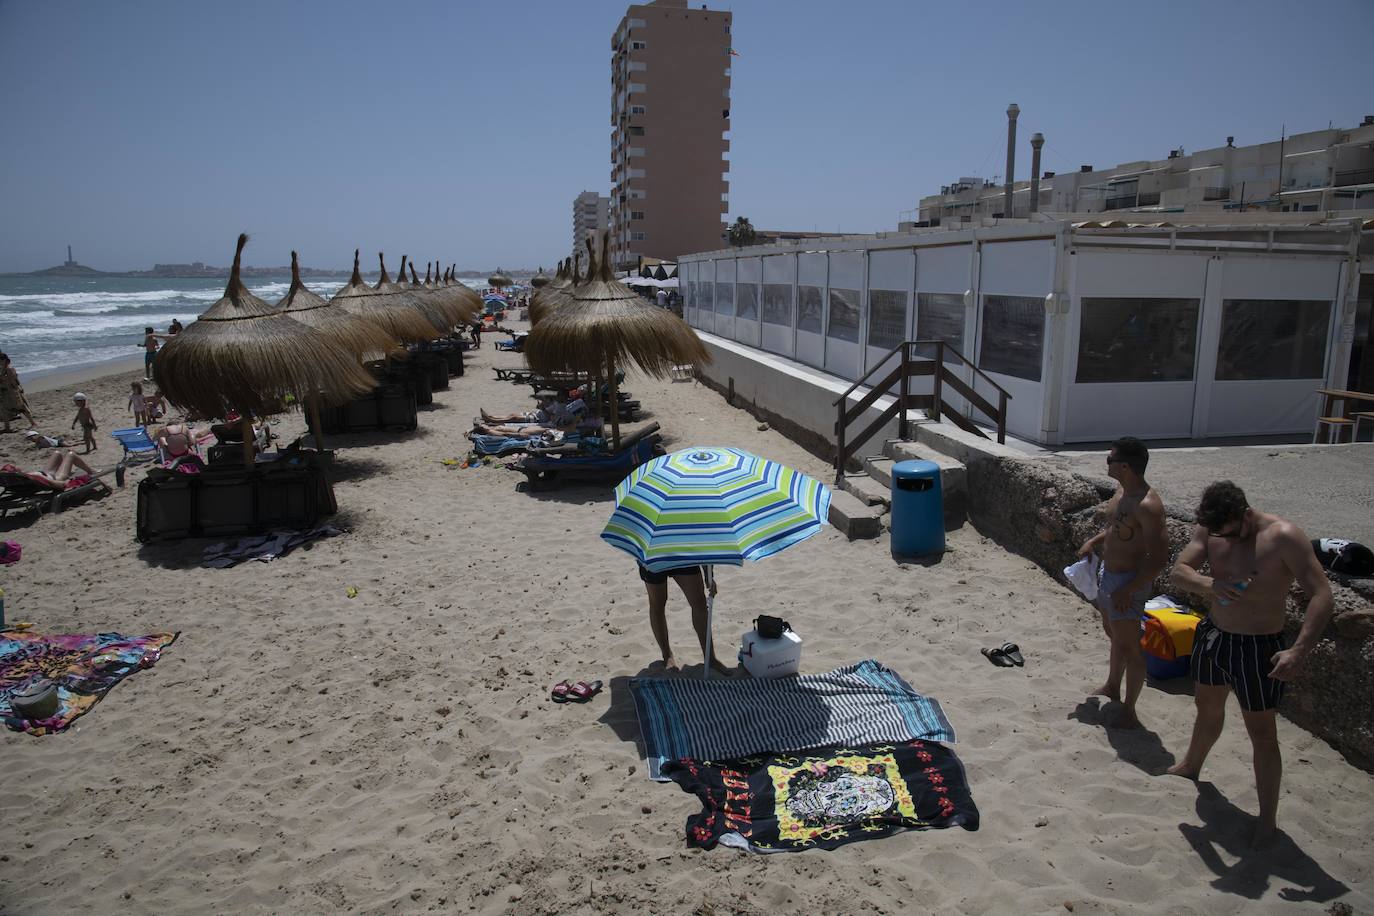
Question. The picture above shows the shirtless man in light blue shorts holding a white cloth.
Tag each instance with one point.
(1136, 550)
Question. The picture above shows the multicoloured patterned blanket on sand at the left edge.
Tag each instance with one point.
(85, 668)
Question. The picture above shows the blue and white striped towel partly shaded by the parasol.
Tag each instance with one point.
(725, 719)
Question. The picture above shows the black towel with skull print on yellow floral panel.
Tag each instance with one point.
(835, 796)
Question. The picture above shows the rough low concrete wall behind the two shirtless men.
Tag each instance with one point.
(1045, 516)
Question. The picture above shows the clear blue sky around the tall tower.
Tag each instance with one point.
(156, 131)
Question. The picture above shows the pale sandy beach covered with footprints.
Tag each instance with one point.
(302, 752)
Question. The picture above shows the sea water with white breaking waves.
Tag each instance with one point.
(49, 325)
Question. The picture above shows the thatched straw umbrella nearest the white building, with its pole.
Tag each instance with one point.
(605, 326)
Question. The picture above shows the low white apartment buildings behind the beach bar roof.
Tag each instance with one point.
(1321, 171)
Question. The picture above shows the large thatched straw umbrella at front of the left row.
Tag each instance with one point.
(243, 354)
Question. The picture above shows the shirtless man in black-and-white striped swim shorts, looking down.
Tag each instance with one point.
(1240, 646)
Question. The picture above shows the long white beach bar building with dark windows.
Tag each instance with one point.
(1096, 330)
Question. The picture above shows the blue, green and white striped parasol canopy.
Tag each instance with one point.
(710, 506)
